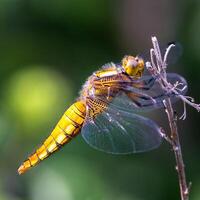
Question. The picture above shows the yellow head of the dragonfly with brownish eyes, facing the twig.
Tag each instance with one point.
(133, 66)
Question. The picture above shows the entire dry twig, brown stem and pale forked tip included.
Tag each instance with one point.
(157, 68)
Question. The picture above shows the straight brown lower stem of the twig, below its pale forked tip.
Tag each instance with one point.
(177, 150)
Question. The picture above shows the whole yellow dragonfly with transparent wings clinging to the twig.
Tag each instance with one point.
(108, 110)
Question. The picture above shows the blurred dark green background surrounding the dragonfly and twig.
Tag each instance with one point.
(47, 50)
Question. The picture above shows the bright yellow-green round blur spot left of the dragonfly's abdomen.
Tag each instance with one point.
(36, 94)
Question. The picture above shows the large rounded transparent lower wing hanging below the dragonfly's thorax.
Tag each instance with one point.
(119, 132)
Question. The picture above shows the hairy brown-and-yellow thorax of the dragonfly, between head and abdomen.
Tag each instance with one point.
(100, 89)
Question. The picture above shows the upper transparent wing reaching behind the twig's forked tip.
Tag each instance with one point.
(147, 98)
